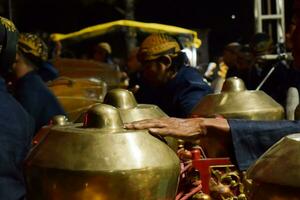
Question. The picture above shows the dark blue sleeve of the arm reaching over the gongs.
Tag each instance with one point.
(252, 138)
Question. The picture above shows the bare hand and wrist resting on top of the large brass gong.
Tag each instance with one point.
(214, 133)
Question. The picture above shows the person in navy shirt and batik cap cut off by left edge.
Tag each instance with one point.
(16, 125)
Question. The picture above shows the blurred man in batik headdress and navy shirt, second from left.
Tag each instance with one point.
(30, 90)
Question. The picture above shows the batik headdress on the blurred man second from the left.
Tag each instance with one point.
(31, 44)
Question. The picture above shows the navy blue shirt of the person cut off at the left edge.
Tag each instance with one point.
(16, 132)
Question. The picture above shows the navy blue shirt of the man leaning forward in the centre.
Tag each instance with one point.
(180, 95)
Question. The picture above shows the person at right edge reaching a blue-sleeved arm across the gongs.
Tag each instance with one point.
(249, 139)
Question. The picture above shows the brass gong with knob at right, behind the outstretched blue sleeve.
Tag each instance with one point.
(236, 102)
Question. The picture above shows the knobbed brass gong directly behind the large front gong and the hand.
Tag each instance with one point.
(130, 111)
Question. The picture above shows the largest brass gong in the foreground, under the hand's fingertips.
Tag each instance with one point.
(82, 163)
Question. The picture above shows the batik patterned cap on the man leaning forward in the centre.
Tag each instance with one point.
(157, 45)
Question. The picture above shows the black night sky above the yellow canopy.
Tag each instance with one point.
(64, 16)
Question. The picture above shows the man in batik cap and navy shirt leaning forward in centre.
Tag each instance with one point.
(166, 78)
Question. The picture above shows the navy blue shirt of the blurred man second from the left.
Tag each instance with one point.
(37, 99)
